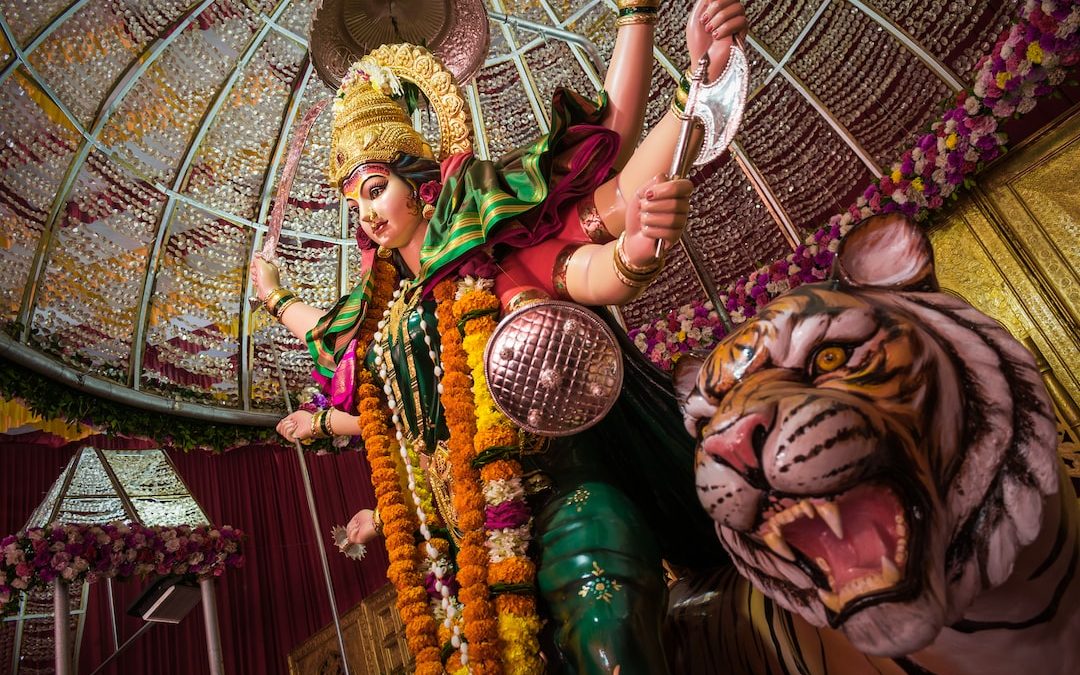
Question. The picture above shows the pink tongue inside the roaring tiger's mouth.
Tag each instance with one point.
(870, 521)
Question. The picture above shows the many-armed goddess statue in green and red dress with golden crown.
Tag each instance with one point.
(492, 530)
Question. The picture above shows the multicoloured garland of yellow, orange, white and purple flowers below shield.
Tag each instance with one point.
(518, 625)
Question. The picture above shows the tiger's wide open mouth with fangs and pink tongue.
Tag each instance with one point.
(857, 543)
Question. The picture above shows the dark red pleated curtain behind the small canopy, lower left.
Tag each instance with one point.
(266, 609)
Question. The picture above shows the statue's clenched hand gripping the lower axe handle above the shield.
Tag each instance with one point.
(659, 212)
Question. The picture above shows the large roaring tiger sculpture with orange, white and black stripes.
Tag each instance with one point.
(881, 463)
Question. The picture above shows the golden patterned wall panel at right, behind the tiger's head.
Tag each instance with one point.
(1011, 248)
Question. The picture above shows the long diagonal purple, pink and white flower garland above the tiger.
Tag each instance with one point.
(1028, 63)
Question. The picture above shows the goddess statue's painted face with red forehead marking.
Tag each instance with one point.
(390, 213)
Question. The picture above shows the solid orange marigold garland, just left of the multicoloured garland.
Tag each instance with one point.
(481, 627)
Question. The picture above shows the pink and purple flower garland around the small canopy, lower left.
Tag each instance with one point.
(35, 558)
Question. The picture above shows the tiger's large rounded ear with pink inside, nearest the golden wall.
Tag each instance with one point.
(888, 251)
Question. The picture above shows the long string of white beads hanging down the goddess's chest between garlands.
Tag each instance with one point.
(384, 363)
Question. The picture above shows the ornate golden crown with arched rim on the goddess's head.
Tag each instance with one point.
(371, 127)
